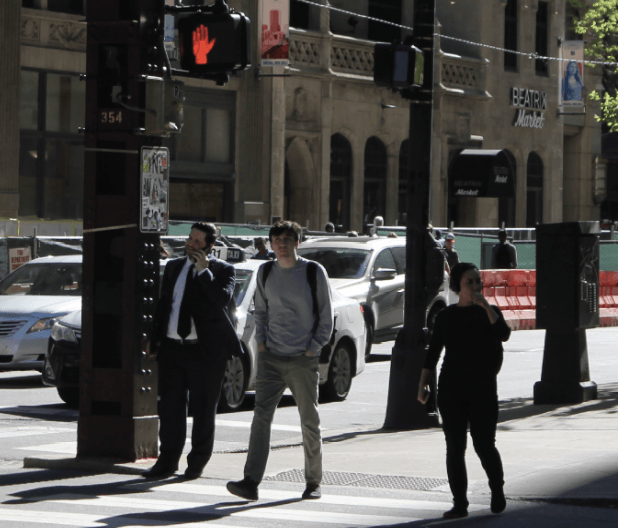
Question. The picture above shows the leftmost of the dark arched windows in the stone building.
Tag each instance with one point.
(340, 181)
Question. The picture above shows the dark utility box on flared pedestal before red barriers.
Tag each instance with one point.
(567, 300)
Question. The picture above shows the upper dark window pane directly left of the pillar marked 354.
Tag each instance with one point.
(66, 103)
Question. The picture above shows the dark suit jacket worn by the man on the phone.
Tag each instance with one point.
(211, 293)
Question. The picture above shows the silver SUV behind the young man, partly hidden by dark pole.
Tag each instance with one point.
(372, 271)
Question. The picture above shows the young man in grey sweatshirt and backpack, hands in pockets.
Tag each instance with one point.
(294, 321)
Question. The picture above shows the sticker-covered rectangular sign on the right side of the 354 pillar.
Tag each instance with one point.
(155, 189)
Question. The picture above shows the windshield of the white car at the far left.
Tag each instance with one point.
(44, 279)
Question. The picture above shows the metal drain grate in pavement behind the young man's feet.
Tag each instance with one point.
(363, 480)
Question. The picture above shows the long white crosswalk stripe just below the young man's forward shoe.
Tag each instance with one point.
(279, 514)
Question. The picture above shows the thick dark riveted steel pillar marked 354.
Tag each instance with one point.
(118, 381)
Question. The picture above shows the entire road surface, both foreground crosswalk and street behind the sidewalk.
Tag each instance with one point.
(34, 421)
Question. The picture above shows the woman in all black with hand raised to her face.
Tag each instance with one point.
(472, 331)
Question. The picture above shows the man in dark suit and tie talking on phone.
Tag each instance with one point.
(193, 339)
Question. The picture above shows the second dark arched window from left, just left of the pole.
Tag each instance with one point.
(374, 201)
